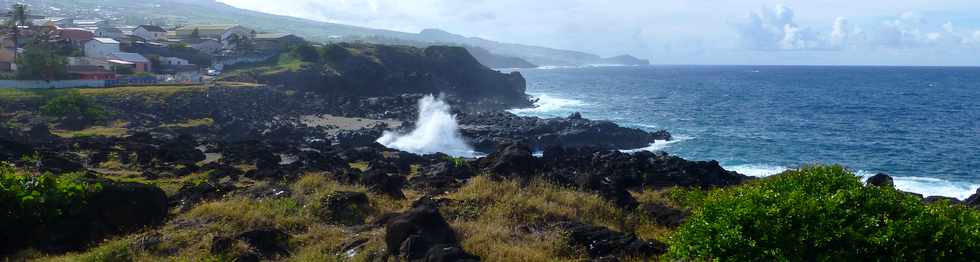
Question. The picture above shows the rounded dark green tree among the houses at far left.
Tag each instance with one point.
(42, 61)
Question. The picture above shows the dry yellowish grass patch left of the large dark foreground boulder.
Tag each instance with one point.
(187, 236)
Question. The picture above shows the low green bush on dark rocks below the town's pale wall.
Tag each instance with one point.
(74, 104)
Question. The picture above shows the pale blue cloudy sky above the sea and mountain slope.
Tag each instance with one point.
(812, 32)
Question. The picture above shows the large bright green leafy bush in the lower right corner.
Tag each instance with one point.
(824, 213)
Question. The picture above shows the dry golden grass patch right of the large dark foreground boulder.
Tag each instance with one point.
(491, 215)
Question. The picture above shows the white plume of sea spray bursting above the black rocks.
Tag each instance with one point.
(436, 131)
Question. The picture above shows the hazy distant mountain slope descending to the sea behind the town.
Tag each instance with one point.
(176, 12)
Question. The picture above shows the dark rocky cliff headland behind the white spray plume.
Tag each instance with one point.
(368, 70)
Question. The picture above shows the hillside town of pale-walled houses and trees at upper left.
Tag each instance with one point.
(39, 51)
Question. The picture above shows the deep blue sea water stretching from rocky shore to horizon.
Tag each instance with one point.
(920, 125)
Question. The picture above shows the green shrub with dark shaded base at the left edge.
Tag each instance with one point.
(29, 198)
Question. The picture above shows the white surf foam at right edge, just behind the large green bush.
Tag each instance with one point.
(928, 186)
